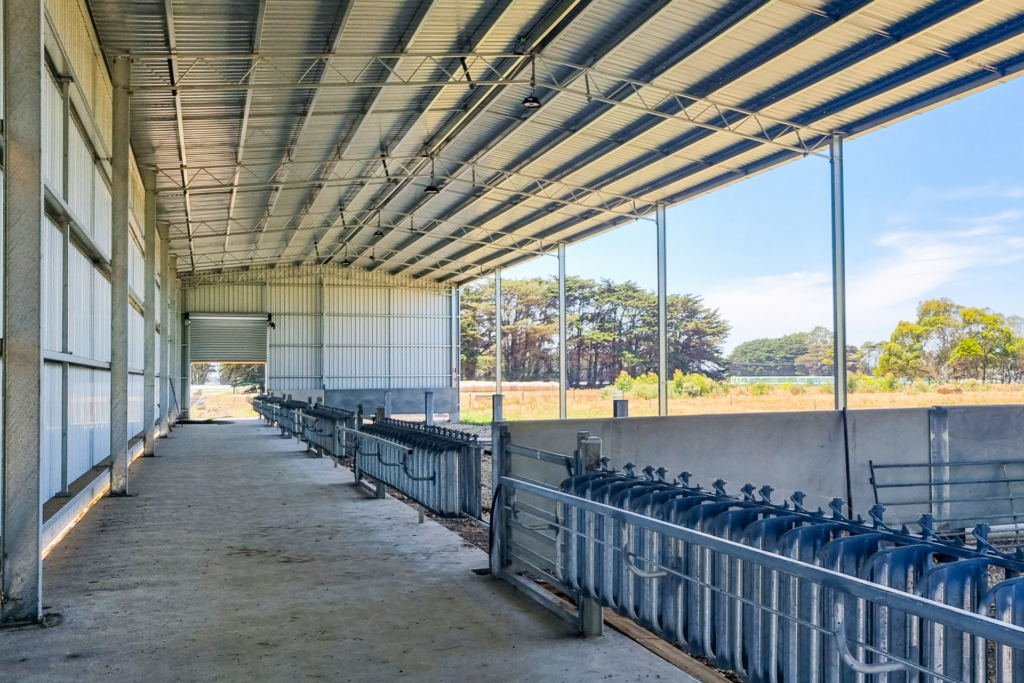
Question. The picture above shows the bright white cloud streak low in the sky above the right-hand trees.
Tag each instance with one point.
(910, 267)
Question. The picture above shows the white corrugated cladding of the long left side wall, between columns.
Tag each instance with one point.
(87, 193)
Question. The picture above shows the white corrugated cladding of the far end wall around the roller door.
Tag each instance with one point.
(343, 330)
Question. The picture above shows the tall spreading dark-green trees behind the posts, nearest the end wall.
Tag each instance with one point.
(611, 328)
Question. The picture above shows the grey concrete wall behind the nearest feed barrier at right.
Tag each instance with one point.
(805, 451)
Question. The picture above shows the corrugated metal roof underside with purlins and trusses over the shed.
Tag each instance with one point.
(330, 141)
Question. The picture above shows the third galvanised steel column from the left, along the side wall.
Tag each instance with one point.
(150, 317)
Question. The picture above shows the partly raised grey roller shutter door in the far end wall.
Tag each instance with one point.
(227, 338)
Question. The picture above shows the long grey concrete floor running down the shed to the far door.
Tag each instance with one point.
(239, 559)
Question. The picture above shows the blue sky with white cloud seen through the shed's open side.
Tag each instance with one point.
(934, 207)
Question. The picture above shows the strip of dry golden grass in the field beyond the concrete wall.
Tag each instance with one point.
(588, 403)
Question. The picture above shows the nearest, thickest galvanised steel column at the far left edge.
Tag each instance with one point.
(21, 565)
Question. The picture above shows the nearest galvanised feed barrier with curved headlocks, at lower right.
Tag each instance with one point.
(777, 593)
